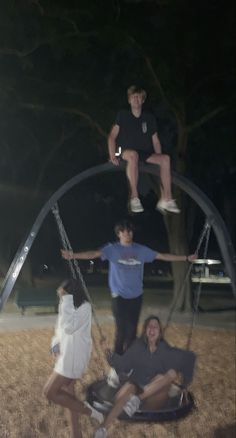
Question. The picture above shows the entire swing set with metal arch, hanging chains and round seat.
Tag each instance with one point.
(213, 220)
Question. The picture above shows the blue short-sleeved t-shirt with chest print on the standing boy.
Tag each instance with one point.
(126, 266)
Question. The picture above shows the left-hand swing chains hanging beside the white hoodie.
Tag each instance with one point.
(73, 264)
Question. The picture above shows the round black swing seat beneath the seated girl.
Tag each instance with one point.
(100, 395)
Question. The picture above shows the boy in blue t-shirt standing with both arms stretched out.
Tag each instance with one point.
(126, 269)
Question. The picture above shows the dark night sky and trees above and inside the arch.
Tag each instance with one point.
(65, 68)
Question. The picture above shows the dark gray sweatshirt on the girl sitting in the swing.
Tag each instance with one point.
(147, 365)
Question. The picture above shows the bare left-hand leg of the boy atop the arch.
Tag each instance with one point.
(132, 170)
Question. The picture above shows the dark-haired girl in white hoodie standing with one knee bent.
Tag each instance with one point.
(71, 345)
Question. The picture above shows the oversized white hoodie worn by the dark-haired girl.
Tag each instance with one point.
(73, 333)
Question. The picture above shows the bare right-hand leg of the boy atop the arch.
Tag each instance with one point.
(164, 162)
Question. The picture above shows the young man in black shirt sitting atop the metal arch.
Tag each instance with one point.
(135, 132)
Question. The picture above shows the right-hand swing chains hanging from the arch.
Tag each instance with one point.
(204, 234)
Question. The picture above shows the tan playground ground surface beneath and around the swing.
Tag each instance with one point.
(25, 364)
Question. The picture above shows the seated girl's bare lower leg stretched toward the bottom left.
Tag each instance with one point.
(122, 396)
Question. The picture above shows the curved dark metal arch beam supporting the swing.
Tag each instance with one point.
(212, 215)
